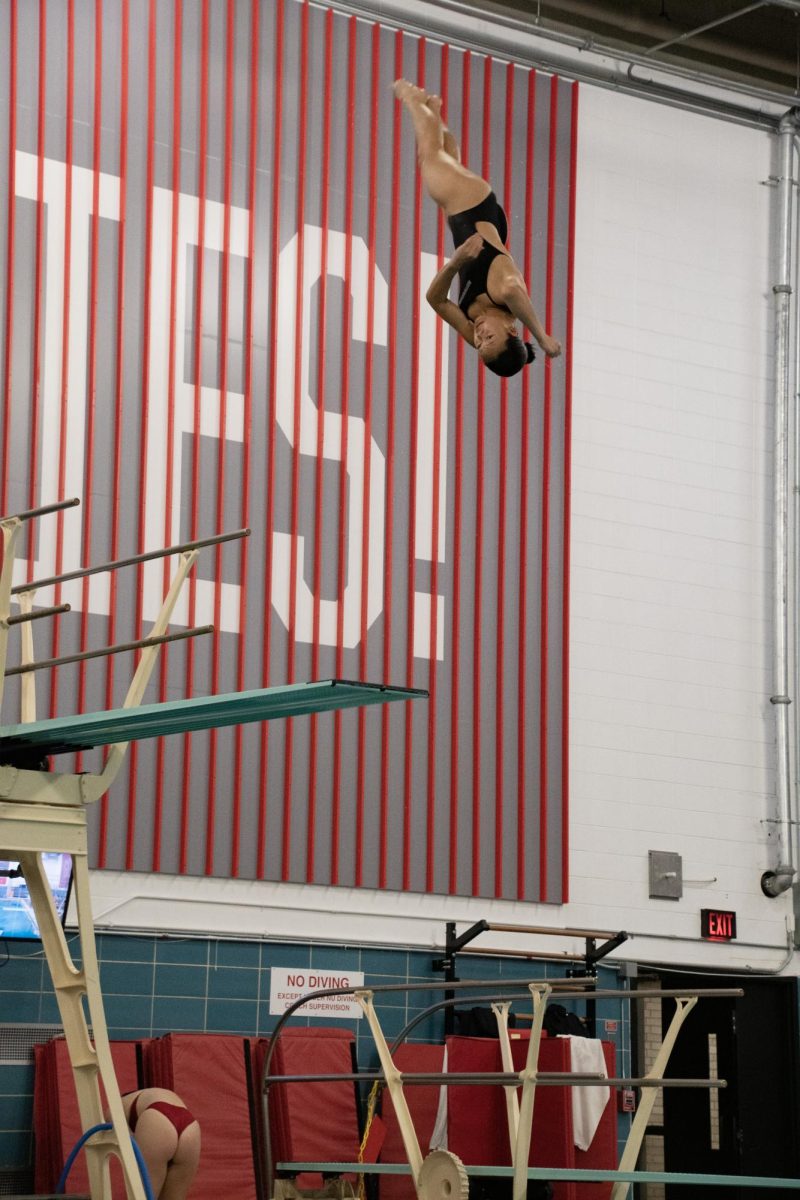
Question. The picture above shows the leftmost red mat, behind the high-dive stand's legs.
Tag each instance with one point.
(57, 1121)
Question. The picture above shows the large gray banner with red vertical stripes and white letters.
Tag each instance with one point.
(215, 257)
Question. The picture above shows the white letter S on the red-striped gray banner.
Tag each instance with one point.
(332, 440)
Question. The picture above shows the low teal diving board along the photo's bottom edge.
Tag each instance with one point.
(558, 1174)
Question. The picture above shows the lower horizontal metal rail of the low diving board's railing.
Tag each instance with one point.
(503, 1078)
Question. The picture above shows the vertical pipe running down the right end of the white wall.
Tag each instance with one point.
(779, 879)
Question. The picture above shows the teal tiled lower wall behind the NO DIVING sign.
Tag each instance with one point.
(154, 986)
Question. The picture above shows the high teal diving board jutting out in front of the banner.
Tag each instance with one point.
(68, 735)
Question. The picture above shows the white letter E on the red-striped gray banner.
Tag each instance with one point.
(158, 535)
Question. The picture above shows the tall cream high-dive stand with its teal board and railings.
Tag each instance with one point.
(45, 811)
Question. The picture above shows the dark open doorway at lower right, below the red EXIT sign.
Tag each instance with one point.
(751, 1126)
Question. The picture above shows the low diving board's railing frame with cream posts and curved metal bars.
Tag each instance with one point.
(441, 1175)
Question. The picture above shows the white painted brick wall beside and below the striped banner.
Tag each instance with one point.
(671, 729)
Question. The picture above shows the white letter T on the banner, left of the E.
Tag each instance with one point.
(71, 425)
